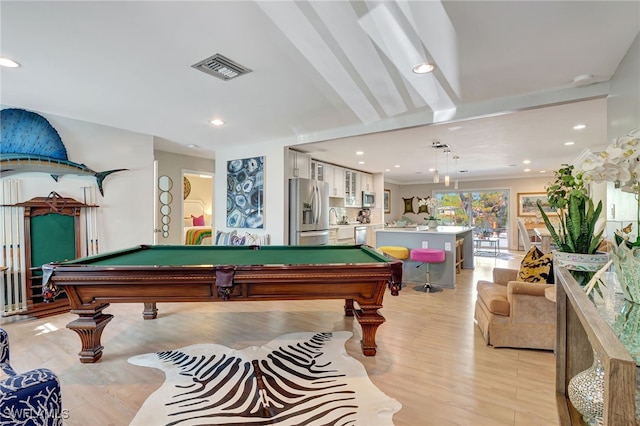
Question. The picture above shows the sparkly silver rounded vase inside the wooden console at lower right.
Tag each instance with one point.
(586, 392)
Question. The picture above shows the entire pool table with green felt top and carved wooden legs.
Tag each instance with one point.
(151, 274)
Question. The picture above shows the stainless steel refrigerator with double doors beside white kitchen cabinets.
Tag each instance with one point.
(308, 212)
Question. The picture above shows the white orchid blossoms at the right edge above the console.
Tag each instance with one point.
(619, 163)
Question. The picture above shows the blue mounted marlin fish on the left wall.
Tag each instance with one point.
(28, 143)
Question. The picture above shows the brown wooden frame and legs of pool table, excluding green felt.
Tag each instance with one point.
(91, 289)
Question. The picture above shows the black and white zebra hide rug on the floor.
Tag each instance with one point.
(296, 379)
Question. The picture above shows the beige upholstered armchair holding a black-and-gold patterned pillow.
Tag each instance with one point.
(515, 314)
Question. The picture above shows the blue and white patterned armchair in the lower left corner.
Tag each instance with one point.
(29, 399)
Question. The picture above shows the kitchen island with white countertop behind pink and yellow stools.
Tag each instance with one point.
(443, 237)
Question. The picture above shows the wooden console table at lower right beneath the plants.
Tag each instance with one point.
(581, 331)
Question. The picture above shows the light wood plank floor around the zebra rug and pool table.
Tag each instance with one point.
(431, 356)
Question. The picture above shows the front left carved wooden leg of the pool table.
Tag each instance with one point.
(89, 325)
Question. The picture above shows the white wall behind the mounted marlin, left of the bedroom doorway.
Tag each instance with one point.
(125, 212)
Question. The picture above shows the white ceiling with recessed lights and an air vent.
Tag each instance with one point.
(328, 72)
